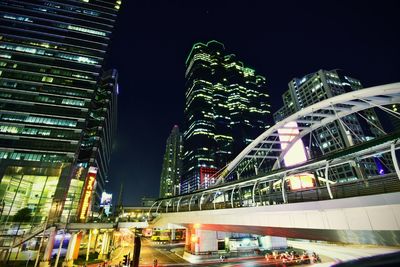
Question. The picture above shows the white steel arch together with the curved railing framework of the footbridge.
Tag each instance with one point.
(228, 195)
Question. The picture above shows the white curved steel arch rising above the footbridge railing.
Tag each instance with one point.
(313, 117)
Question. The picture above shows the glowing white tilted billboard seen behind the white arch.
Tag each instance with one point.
(296, 153)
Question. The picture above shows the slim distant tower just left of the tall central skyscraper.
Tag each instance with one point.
(172, 164)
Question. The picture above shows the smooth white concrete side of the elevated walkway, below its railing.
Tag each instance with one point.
(373, 219)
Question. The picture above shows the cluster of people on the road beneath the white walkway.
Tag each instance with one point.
(293, 257)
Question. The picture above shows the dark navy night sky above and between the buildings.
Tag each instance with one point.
(279, 39)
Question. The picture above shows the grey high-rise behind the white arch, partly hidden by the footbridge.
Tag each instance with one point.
(322, 85)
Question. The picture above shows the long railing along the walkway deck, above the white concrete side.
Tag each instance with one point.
(373, 185)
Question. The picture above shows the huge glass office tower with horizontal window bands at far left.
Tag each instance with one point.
(51, 54)
